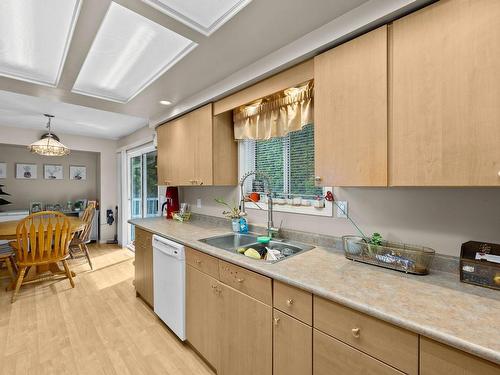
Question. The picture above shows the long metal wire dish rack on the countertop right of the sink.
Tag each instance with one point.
(393, 255)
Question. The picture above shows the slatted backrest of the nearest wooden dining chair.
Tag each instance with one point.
(43, 236)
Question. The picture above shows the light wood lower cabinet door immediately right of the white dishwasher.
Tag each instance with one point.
(201, 313)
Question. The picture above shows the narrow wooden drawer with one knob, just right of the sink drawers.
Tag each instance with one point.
(293, 301)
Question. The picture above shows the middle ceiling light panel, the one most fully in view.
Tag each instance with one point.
(129, 53)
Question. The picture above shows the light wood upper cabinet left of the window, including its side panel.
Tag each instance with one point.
(198, 149)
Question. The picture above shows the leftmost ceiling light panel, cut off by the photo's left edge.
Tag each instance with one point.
(35, 37)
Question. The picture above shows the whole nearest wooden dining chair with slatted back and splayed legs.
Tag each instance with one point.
(42, 238)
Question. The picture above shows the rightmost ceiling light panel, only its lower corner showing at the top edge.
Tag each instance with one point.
(203, 16)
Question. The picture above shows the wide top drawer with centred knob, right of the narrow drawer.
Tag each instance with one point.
(388, 343)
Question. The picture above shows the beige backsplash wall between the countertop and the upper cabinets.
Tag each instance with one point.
(440, 218)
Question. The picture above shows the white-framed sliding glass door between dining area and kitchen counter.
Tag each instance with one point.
(142, 186)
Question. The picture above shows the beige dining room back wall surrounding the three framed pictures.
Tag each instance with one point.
(47, 191)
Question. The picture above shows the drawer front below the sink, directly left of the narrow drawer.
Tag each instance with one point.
(248, 282)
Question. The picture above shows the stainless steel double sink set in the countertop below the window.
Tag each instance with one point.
(233, 241)
